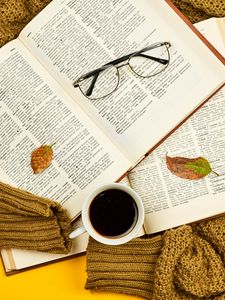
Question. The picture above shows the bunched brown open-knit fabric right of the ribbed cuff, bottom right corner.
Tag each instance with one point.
(190, 267)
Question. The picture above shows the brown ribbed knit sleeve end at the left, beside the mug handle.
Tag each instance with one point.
(31, 222)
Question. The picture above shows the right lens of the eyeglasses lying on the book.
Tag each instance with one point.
(150, 62)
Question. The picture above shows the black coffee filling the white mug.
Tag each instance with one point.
(113, 212)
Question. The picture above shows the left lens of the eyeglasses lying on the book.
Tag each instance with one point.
(100, 84)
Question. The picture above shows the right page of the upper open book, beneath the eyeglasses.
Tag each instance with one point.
(74, 37)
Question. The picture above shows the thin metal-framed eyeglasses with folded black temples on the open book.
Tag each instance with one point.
(145, 63)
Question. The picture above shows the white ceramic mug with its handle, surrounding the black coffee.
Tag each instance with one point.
(111, 240)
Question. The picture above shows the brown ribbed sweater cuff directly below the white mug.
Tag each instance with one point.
(127, 268)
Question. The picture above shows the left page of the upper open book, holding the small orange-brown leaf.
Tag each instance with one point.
(35, 111)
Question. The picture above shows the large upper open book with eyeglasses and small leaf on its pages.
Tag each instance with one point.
(96, 141)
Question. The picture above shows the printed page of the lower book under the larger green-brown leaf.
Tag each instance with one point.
(171, 201)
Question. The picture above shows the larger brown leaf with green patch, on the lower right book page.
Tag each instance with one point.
(188, 168)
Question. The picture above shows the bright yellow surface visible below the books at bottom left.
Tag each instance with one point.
(62, 280)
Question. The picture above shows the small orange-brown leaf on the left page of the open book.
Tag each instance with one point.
(41, 158)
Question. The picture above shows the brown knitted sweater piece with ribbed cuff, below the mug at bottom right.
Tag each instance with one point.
(186, 263)
